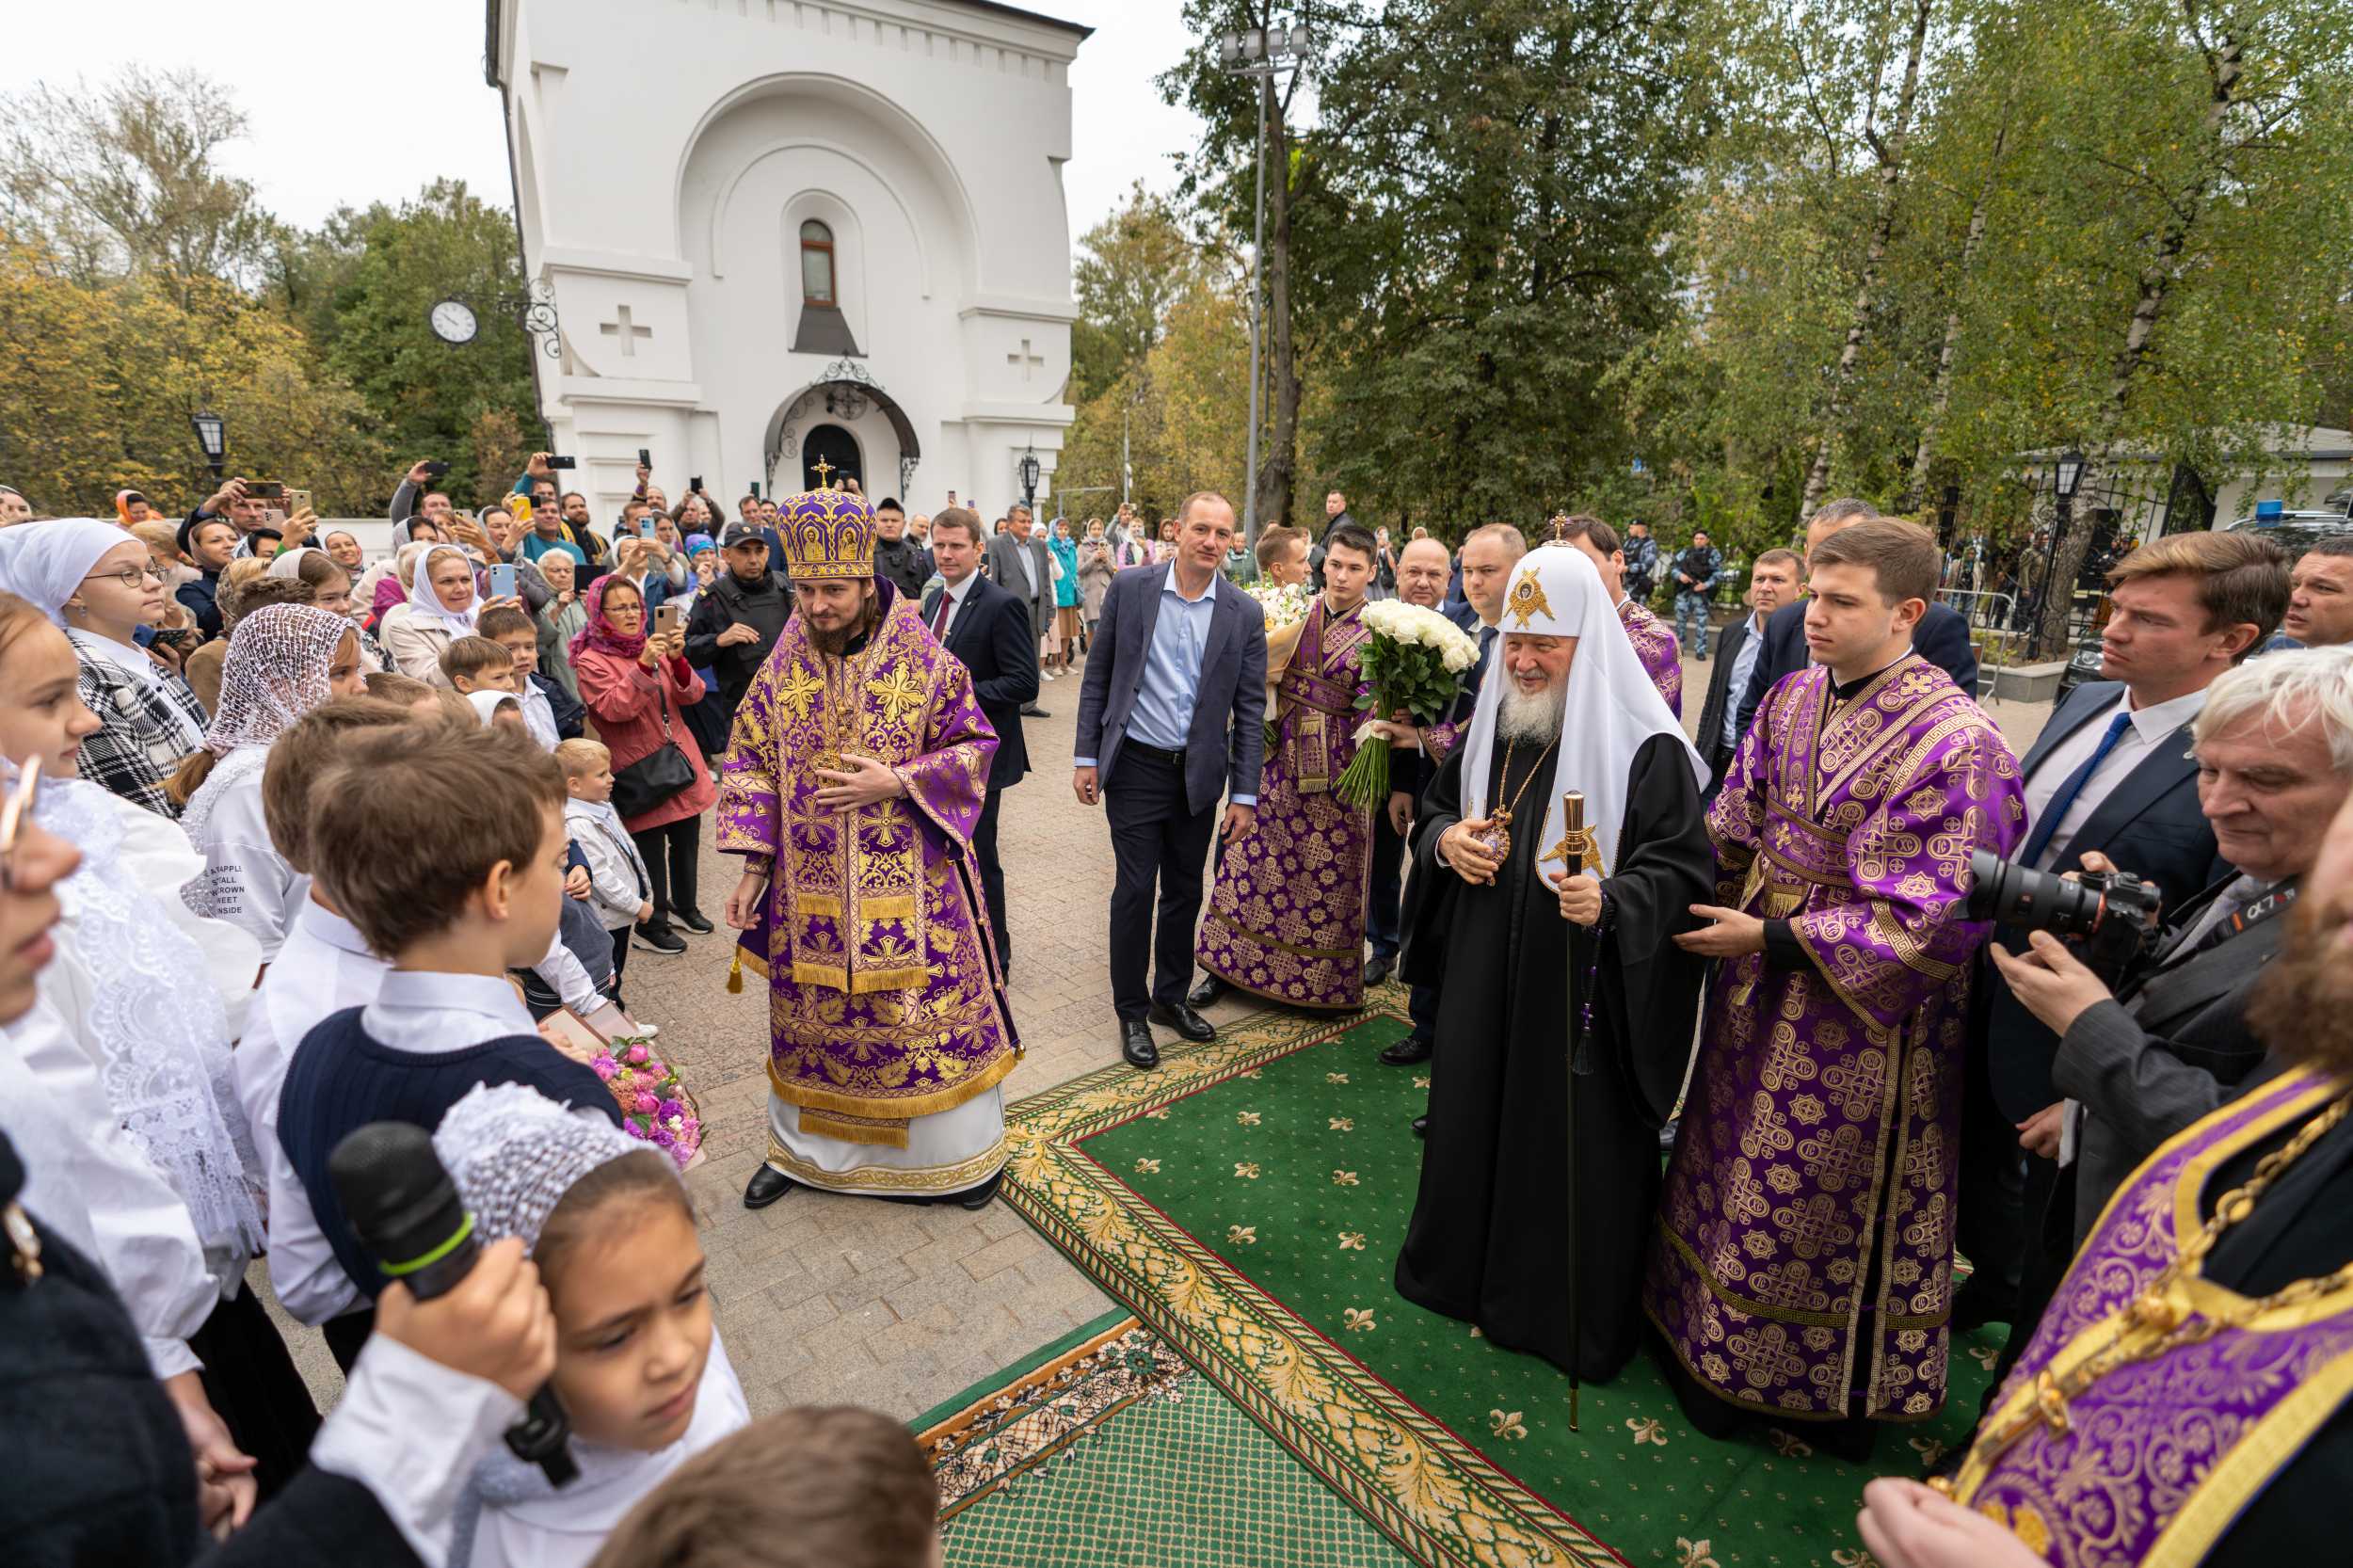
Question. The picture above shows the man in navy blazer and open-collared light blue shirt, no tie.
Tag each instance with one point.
(1171, 717)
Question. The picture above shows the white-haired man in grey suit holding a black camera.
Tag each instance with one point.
(2274, 766)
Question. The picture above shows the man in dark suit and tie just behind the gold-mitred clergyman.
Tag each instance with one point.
(987, 630)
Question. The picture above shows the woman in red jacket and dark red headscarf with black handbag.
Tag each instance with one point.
(639, 689)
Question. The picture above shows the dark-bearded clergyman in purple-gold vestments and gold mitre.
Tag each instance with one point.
(853, 790)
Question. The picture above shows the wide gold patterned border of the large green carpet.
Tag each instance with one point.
(1408, 1475)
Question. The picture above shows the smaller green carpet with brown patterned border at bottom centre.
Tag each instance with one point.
(1107, 1451)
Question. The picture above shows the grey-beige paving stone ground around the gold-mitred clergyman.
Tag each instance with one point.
(884, 1305)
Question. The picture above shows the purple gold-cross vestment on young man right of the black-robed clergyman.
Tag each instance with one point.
(1804, 1261)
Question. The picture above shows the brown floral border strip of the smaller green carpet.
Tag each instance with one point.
(1036, 1416)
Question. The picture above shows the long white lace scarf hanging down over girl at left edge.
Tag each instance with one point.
(156, 1023)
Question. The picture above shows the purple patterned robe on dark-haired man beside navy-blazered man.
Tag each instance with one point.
(1288, 912)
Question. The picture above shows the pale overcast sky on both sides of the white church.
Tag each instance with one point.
(368, 102)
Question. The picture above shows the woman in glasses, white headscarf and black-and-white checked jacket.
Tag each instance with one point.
(100, 587)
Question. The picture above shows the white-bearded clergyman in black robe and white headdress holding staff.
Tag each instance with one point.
(1559, 851)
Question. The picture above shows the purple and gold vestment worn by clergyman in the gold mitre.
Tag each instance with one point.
(884, 990)
